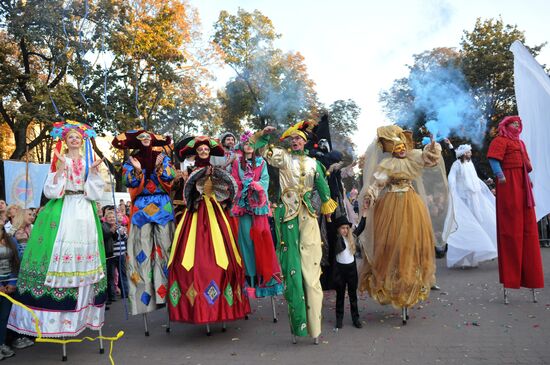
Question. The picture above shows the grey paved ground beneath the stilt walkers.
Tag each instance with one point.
(465, 323)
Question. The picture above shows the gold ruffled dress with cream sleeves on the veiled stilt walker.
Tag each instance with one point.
(401, 269)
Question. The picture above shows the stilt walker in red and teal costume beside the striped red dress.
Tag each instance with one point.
(263, 271)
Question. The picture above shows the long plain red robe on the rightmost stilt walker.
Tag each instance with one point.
(519, 257)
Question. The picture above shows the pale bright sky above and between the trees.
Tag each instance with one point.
(355, 48)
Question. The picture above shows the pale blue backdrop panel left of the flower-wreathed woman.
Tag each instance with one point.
(18, 189)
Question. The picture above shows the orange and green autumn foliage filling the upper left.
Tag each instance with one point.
(144, 57)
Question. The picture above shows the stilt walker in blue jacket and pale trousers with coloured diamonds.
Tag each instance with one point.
(148, 174)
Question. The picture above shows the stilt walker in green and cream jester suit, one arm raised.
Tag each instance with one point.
(299, 245)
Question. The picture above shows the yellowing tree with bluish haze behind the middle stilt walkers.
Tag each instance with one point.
(270, 86)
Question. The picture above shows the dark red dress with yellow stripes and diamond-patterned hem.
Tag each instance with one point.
(206, 272)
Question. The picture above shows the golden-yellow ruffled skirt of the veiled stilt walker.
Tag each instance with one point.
(402, 269)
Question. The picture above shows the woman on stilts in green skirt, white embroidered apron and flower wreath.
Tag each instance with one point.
(62, 277)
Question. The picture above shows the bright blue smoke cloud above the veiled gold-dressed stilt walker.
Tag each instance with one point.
(443, 96)
